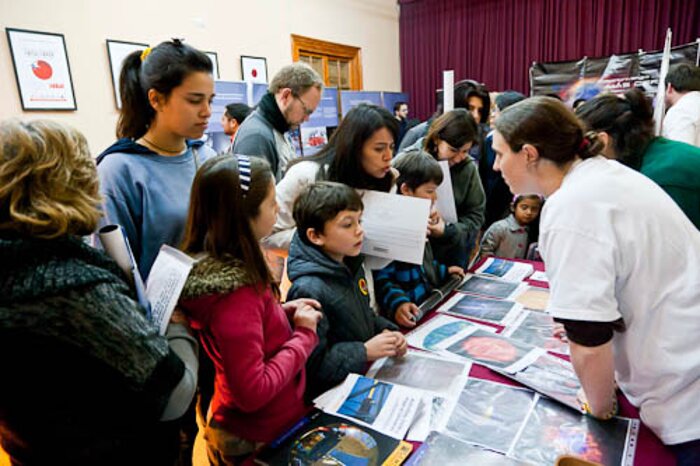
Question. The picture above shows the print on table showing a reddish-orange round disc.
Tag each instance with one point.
(495, 351)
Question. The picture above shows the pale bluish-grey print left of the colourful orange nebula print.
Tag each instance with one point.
(489, 414)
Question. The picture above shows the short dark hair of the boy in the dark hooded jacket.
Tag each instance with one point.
(320, 203)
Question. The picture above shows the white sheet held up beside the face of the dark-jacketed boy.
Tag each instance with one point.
(395, 226)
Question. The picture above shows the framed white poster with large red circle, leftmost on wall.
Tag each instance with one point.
(41, 69)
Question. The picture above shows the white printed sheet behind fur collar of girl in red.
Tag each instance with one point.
(165, 283)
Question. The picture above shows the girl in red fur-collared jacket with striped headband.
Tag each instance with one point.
(232, 301)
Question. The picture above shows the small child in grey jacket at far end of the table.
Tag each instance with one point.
(509, 238)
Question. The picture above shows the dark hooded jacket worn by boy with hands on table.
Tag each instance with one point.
(348, 319)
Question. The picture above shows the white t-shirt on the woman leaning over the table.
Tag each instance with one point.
(616, 245)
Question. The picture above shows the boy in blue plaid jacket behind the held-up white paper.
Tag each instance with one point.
(400, 286)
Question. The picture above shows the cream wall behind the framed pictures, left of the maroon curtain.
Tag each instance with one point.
(231, 28)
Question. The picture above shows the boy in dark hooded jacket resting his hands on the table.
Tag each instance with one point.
(325, 264)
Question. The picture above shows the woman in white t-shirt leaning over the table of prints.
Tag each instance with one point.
(624, 268)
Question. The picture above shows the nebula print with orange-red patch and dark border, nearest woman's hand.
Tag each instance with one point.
(552, 430)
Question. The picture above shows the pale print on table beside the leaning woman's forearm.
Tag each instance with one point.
(554, 377)
